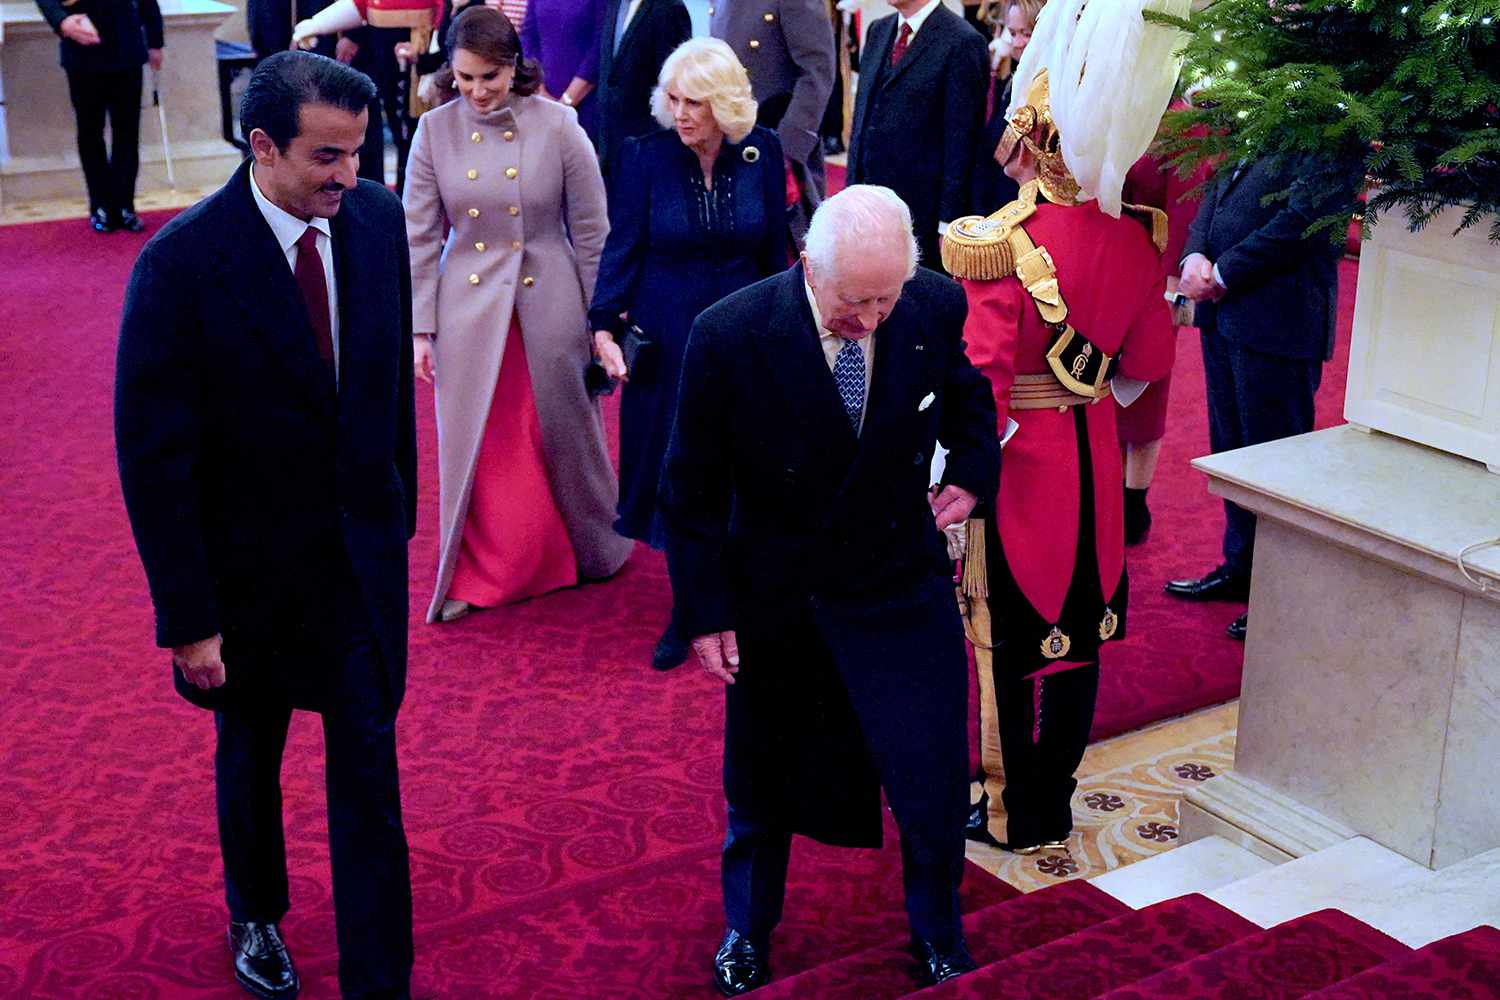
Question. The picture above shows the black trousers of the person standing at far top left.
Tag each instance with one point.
(109, 173)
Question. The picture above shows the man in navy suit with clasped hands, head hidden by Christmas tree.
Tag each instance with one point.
(1267, 302)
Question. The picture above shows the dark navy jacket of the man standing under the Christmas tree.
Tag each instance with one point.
(1283, 286)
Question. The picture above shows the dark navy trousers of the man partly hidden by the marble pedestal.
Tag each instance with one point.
(1253, 398)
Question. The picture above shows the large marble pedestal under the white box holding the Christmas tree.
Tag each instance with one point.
(1372, 692)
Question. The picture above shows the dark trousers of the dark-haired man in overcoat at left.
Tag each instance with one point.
(367, 840)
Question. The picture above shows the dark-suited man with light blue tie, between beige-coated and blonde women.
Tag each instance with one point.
(637, 38)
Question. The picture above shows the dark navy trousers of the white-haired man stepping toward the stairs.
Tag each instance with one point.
(917, 777)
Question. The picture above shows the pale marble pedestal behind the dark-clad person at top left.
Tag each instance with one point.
(40, 122)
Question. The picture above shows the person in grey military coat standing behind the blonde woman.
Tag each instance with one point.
(788, 50)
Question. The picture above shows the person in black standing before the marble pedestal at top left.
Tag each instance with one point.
(104, 46)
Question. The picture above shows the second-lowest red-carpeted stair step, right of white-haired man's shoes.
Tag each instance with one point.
(1106, 956)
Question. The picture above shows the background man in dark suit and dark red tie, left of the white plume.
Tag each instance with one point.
(920, 113)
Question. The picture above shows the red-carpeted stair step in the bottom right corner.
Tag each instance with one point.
(1462, 968)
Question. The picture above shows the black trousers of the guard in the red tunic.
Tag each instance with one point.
(1045, 729)
